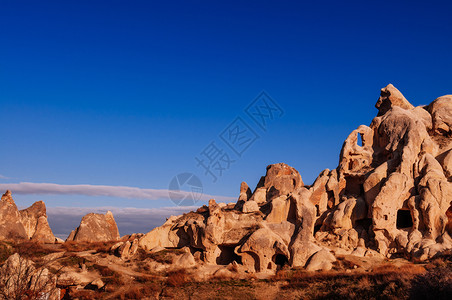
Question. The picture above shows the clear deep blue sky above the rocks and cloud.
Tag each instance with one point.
(128, 93)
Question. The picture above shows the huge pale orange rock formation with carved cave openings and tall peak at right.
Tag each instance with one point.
(390, 196)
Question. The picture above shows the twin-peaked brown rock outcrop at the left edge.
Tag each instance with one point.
(30, 223)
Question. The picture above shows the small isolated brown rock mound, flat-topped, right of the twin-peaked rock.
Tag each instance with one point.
(96, 228)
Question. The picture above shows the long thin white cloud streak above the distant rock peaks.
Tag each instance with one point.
(29, 188)
